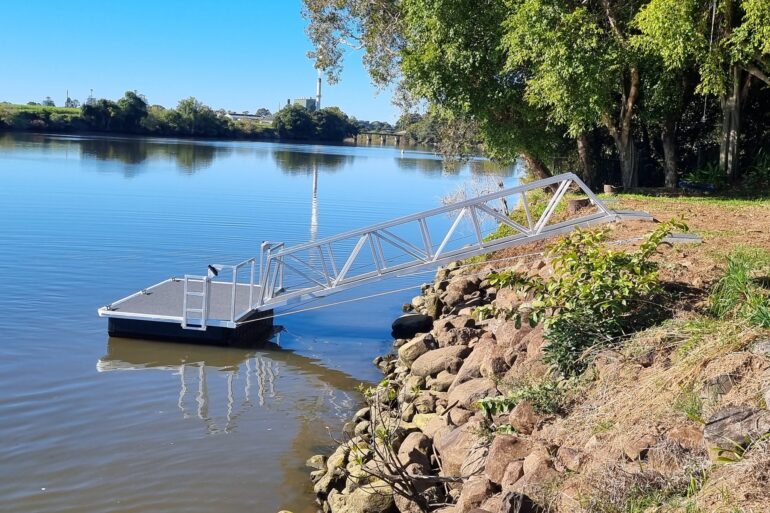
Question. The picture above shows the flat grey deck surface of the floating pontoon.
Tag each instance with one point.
(166, 299)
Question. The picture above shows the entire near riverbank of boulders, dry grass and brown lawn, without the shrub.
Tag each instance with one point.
(672, 416)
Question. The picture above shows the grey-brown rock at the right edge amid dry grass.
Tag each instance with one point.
(735, 426)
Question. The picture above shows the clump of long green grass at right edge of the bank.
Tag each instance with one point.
(742, 292)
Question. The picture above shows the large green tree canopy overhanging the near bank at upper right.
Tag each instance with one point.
(598, 83)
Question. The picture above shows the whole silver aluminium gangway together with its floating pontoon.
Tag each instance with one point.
(212, 308)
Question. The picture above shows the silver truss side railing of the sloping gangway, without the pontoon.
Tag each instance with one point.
(322, 275)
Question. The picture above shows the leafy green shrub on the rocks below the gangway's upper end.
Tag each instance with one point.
(594, 296)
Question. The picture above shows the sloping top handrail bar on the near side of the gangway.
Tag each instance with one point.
(439, 210)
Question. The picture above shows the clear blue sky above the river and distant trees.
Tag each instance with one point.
(233, 54)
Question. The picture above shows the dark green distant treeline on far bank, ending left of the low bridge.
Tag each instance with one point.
(132, 114)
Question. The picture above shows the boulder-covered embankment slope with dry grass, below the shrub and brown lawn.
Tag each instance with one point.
(422, 443)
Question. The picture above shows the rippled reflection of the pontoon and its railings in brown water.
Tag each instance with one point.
(251, 377)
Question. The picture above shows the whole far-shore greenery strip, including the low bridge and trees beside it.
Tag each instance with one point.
(133, 114)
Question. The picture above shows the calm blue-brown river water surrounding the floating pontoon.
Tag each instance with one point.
(93, 424)
